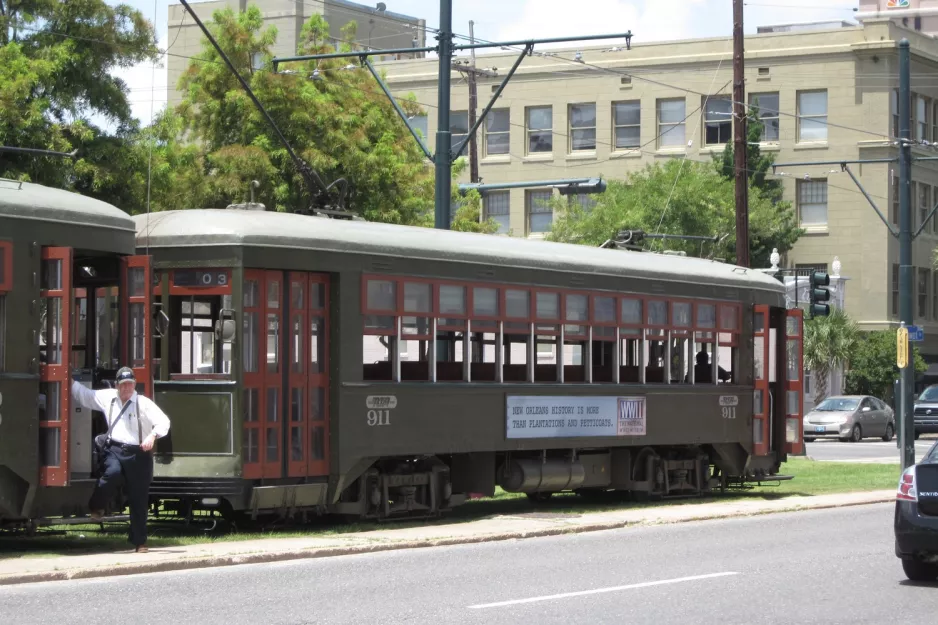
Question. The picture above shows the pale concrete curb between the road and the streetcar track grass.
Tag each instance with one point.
(183, 564)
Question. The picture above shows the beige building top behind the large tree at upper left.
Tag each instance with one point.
(377, 28)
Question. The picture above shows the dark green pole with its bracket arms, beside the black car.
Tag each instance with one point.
(904, 235)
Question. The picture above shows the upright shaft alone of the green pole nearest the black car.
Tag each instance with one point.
(907, 427)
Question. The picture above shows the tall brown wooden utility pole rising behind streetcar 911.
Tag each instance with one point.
(741, 147)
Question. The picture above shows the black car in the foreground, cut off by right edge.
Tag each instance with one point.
(916, 523)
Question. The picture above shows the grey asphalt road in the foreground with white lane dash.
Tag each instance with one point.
(831, 566)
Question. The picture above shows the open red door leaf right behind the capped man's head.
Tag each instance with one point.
(137, 320)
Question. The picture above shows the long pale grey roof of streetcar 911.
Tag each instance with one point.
(216, 227)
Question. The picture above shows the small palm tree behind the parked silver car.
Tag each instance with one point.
(829, 342)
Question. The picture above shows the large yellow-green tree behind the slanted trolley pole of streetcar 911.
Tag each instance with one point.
(333, 114)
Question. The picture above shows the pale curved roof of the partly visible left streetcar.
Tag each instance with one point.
(26, 200)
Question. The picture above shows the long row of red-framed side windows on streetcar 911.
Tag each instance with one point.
(427, 330)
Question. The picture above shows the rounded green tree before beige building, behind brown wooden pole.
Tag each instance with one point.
(678, 197)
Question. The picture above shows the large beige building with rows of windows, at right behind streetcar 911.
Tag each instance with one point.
(827, 93)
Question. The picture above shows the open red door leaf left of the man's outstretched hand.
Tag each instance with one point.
(55, 357)
